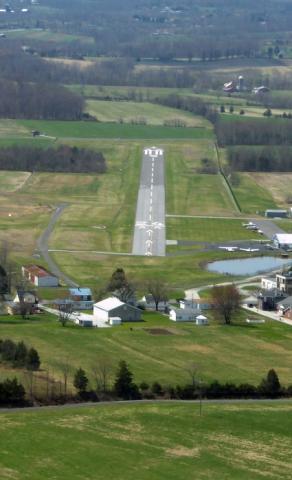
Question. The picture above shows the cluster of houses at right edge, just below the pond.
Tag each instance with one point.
(275, 295)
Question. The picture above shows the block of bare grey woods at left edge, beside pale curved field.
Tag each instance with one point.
(39, 101)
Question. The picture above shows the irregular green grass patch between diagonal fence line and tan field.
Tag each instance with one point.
(253, 197)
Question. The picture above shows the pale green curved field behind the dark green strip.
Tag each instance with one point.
(110, 111)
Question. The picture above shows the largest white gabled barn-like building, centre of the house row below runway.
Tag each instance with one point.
(113, 307)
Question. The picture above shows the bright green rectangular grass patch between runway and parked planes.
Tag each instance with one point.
(207, 229)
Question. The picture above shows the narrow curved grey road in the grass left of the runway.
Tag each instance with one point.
(42, 245)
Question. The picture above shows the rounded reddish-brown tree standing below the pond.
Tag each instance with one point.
(226, 300)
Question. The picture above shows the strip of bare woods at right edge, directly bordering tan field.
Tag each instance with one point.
(260, 159)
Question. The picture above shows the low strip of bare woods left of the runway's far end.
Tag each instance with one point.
(62, 159)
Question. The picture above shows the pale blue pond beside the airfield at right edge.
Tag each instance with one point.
(248, 266)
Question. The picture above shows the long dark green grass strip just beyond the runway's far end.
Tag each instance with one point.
(79, 129)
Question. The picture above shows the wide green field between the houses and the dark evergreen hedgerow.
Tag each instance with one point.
(236, 353)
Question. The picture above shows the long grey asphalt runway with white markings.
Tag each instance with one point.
(149, 233)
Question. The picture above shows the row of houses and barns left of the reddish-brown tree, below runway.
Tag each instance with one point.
(110, 311)
